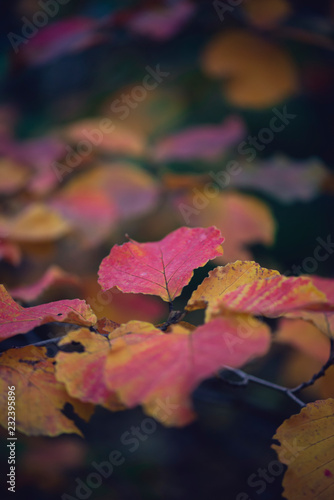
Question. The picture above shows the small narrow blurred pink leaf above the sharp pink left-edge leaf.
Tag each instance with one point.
(54, 276)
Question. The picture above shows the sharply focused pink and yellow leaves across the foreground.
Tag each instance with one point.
(121, 366)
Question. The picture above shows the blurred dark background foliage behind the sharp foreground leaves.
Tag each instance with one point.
(228, 68)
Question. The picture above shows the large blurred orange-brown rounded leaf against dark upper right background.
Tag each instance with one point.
(257, 73)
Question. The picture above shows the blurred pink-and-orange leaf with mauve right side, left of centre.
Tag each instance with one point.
(108, 193)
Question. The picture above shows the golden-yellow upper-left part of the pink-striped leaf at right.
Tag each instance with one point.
(222, 280)
